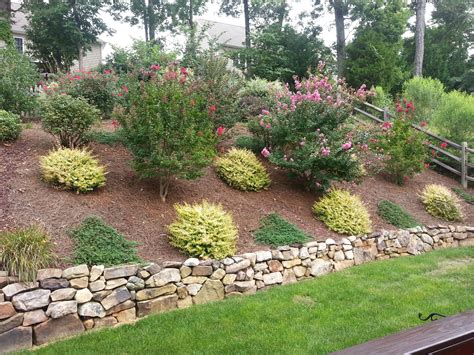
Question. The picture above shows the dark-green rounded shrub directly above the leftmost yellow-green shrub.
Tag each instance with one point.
(68, 118)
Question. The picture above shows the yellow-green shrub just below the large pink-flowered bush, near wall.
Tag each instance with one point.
(343, 213)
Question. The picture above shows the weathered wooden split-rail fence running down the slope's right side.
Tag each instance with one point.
(382, 115)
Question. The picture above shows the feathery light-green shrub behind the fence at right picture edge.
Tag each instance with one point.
(453, 118)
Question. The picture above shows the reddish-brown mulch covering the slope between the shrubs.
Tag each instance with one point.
(133, 206)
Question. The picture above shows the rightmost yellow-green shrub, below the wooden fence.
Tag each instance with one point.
(440, 202)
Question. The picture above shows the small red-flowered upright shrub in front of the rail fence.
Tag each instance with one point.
(403, 146)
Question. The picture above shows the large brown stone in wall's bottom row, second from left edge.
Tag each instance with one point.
(54, 329)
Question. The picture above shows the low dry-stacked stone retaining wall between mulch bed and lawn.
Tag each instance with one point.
(67, 302)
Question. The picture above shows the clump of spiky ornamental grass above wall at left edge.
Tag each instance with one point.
(24, 251)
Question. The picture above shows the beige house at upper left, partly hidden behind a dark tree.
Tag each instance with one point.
(88, 61)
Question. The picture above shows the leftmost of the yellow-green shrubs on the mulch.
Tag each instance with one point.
(72, 169)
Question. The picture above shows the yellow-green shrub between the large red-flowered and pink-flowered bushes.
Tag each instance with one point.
(241, 169)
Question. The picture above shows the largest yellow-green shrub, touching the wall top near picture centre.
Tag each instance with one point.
(203, 230)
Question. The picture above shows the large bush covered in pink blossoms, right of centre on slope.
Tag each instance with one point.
(305, 134)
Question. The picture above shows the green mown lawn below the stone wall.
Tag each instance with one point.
(315, 316)
